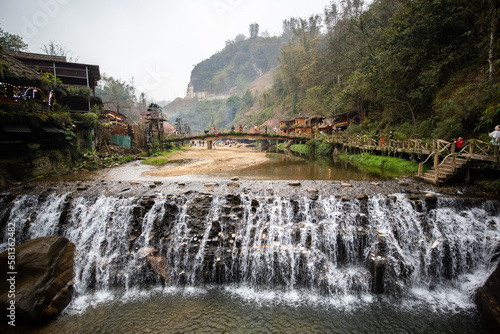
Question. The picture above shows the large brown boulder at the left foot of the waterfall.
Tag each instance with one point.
(40, 284)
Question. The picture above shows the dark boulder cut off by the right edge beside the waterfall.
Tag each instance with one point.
(488, 300)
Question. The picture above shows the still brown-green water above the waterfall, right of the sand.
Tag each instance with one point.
(286, 167)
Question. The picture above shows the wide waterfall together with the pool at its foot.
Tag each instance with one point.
(250, 263)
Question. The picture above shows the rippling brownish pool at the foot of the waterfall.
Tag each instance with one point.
(226, 311)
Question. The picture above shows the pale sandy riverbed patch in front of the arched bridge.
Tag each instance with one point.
(200, 160)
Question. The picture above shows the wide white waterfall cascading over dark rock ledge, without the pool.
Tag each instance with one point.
(387, 245)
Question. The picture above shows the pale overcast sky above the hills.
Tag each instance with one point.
(155, 42)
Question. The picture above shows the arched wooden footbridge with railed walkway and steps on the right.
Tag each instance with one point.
(447, 160)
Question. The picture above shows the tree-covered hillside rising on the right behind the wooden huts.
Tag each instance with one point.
(426, 68)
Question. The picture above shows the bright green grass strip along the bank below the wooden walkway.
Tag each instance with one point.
(389, 163)
